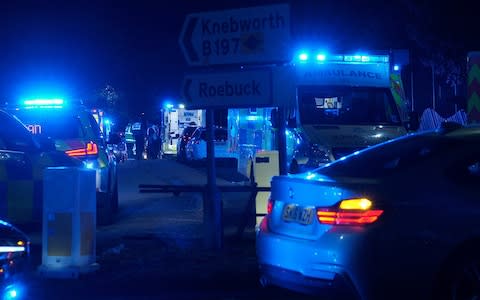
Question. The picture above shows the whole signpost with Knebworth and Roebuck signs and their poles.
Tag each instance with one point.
(255, 35)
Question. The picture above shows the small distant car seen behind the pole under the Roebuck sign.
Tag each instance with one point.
(196, 148)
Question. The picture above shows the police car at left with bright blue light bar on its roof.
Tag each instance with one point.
(75, 131)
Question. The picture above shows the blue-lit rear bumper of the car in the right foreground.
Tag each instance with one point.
(310, 266)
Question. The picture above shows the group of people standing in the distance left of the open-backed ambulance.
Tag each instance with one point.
(147, 139)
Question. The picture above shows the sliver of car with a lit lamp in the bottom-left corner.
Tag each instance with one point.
(14, 261)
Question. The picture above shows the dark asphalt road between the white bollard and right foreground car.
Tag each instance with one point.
(155, 249)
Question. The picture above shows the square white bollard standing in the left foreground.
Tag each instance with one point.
(69, 222)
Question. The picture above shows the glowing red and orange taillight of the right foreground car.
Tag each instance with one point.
(349, 212)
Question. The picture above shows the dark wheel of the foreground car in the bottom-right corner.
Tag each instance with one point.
(460, 280)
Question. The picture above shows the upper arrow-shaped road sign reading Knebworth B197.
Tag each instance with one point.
(249, 35)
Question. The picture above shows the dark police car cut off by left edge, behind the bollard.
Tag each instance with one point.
(22, 160)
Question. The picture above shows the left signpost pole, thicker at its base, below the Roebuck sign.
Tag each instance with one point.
(213, 210)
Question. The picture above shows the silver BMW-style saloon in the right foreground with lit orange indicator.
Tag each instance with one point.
(394, 221)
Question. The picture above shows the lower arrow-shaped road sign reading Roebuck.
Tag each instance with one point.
(250, 88)
